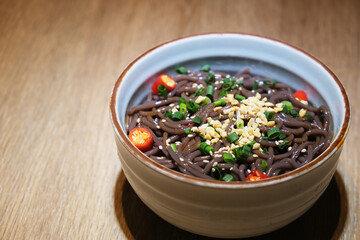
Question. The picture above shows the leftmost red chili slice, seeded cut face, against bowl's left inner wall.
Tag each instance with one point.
(142, 138)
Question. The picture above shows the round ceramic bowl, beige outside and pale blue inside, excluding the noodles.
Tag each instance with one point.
(236, 209)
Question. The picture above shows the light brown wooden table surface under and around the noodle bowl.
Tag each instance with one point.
(60, 177)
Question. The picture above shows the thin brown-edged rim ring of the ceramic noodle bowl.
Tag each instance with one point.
(335, 144)
